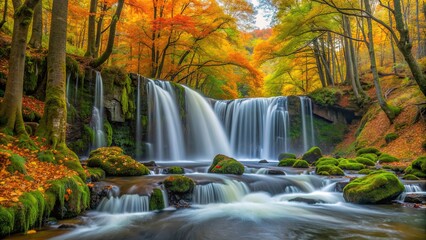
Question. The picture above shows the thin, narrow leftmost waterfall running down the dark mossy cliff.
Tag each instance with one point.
(97, 122)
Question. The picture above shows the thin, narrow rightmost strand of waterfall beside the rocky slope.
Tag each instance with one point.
(307, 123)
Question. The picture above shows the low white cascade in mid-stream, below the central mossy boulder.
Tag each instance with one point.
(230, 191)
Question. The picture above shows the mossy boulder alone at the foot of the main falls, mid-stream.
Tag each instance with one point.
(226, 165)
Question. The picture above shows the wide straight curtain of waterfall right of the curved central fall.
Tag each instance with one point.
(257, 127)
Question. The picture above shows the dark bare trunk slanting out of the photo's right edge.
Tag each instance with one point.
(404, 45)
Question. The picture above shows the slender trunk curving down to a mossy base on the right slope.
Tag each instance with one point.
(370, 45)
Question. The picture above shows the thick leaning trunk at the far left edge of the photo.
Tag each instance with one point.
(11, 108)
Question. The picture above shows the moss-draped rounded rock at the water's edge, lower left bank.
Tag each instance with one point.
(67, 197)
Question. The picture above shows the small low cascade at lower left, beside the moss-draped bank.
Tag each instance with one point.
(128, 203)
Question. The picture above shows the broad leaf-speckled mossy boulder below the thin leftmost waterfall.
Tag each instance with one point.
(115, 163)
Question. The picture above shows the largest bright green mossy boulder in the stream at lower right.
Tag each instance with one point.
(377, 187)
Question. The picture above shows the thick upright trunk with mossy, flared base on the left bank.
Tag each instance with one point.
(54, 121)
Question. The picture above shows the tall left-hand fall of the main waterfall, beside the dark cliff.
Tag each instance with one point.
(164, 124)
